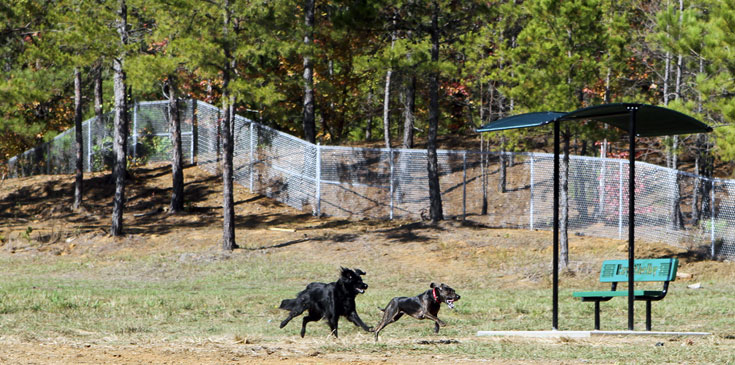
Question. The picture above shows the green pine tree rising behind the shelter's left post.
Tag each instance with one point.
(556, 60)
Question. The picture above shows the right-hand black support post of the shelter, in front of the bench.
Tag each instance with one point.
(631, 217)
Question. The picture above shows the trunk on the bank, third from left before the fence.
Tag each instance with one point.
(177, 165)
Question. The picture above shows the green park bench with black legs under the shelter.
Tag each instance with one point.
(646, 270)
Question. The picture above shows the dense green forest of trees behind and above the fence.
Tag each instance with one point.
(344, 71)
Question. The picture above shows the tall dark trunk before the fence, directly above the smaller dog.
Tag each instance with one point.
(435, 210)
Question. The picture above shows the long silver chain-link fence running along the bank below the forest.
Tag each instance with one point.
(393, 183)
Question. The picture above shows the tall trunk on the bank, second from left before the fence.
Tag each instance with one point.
(121, 124)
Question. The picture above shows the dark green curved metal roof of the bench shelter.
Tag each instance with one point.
(650, 120)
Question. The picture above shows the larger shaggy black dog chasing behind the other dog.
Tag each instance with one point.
(328, 301)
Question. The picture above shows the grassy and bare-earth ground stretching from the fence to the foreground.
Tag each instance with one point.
(171, 296)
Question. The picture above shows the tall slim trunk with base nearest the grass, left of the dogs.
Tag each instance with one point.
(228, 205)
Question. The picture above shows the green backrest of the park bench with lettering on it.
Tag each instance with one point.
(645, 270)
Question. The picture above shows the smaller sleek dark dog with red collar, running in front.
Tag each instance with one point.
(424, 305)
